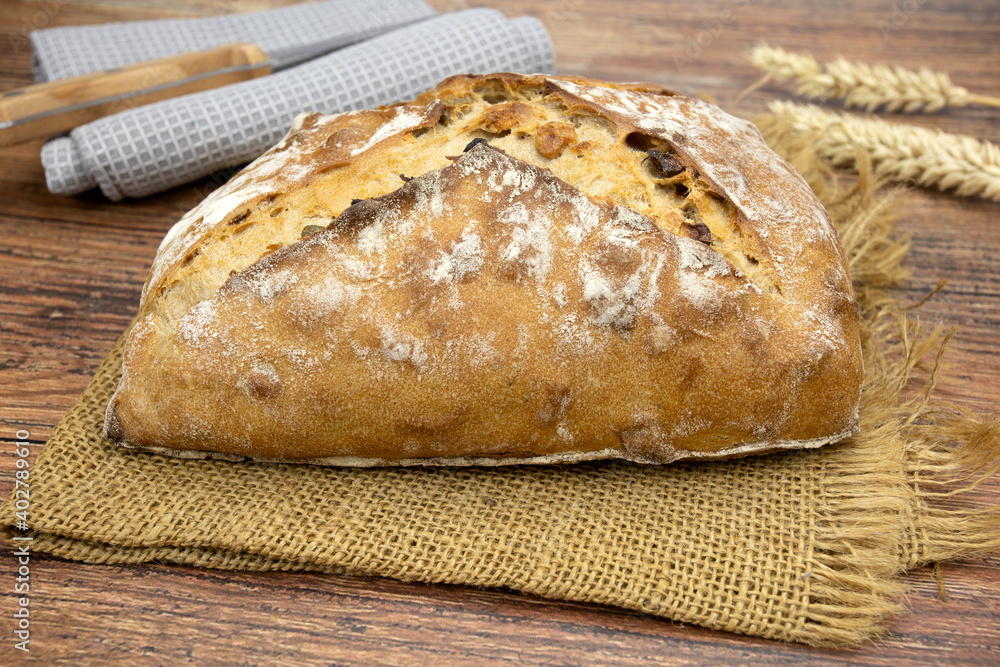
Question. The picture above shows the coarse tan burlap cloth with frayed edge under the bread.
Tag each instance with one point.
(806, 547)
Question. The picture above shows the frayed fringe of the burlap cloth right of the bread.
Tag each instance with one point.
(934, 446)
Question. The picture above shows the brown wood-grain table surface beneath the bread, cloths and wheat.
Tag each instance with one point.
(72, 268)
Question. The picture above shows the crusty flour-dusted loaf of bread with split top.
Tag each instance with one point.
(508, 269)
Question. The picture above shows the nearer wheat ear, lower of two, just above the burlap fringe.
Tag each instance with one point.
(899, 152)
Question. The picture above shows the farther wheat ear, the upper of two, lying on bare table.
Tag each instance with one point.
(863, 85)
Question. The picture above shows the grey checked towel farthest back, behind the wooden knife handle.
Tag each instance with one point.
(73, 50)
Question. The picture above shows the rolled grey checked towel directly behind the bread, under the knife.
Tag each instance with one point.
(155, 147)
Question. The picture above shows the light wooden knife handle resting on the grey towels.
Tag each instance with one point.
(54, 107)
